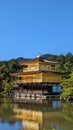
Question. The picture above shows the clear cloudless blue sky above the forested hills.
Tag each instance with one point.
(30, 27)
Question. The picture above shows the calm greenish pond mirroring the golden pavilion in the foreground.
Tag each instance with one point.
(44, 115)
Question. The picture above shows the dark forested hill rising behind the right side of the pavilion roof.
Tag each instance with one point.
(65, 61)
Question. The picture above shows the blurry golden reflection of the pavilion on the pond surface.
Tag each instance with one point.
(38, 116)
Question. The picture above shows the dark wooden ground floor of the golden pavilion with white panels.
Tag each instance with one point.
(37, 90)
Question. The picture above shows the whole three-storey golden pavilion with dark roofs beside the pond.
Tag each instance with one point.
(38, 80)
